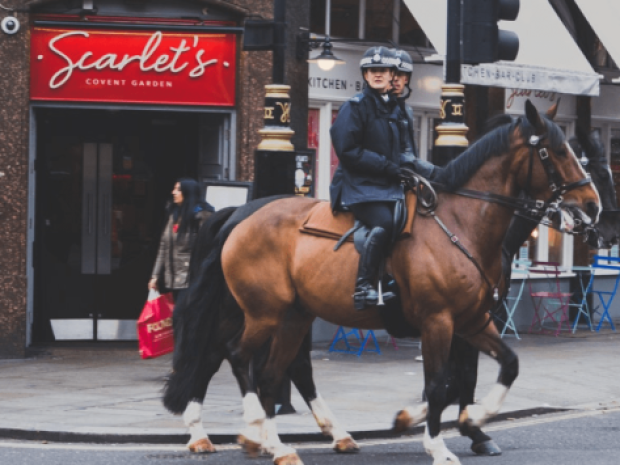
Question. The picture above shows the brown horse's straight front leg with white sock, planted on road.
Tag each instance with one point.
(436, 341)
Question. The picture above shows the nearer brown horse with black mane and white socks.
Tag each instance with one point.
(282, 279)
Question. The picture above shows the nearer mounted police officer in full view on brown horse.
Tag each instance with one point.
(367, 182)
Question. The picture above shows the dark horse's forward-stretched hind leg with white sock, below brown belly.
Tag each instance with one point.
(300, 372)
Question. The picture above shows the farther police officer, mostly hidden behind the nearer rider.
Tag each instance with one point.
(402, 91)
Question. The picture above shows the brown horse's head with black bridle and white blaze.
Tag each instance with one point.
(550, 171)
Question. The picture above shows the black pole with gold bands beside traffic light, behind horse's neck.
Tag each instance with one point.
(451, 140)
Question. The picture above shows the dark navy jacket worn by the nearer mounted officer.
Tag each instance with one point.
(366, 139)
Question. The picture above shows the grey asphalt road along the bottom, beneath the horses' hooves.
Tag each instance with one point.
(572, 438)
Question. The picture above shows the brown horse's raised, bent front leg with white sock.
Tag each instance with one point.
(489, 342)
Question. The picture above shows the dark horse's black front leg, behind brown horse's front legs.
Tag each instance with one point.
(464, 358)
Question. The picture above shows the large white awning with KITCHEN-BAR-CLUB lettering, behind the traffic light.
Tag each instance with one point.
(548, 59)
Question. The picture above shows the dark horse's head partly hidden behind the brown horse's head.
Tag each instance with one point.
(592, 151)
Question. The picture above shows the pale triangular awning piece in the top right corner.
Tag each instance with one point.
(604, 16)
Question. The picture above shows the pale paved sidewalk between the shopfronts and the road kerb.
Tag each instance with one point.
(106, 393)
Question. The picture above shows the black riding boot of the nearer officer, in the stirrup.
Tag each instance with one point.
(365, 294)
